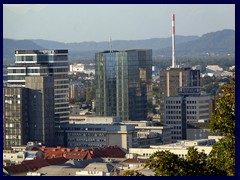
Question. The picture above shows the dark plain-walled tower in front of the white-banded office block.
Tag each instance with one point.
(41, 109)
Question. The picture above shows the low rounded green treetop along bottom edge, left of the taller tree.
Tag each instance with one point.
(165, 163)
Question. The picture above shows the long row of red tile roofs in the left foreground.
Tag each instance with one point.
(59, 155)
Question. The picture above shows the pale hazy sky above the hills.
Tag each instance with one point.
(87, 22)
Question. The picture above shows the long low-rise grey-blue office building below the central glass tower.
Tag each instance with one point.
(111, 131)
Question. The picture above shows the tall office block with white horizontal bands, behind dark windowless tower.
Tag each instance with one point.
(44, 63)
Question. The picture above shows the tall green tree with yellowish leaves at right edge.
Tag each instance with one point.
(223, 123)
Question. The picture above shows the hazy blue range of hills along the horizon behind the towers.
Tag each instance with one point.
(222, 42)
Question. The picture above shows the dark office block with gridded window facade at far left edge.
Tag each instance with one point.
(15, 116)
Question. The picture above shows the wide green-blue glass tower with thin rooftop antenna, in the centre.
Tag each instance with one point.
(123, 83)
